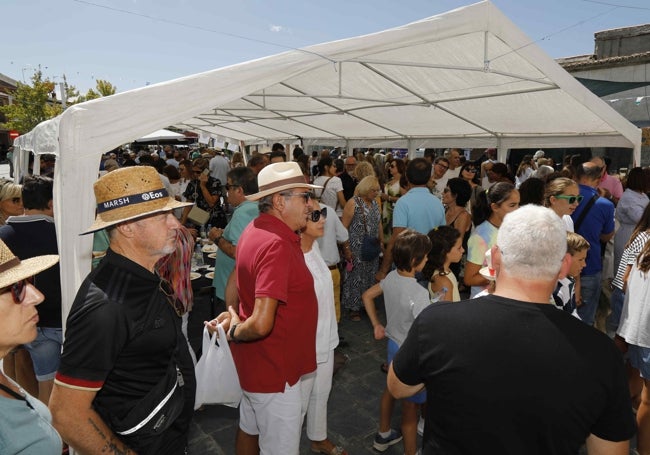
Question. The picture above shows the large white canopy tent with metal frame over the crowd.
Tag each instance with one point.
(466, 78)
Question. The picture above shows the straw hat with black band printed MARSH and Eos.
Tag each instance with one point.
(129, 193)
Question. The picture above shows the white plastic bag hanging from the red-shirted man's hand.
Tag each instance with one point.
(217, 381)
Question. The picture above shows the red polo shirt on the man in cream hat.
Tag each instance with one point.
(270, 263)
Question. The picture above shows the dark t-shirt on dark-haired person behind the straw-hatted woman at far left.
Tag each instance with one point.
(35, 235)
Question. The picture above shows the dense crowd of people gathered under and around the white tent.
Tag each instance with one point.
(304, 241)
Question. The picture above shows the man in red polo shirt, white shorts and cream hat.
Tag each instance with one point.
(274, 332)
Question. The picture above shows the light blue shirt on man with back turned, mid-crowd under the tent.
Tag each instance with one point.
(419, 210)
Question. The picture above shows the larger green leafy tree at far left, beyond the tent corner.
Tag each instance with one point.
(31, 104)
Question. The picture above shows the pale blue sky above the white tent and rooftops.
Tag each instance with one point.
(132, 43)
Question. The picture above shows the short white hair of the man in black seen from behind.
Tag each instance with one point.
(532, 241)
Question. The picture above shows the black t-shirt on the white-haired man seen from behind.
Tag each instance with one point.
(510, 377)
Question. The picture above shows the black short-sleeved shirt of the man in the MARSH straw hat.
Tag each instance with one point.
(119, 345)
